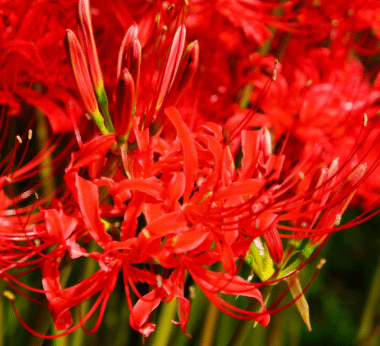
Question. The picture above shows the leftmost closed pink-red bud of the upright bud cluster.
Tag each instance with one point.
(80, 70)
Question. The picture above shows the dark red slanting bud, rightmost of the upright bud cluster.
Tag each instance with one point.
(187, 68)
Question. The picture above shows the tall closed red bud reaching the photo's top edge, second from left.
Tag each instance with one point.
(86, 38)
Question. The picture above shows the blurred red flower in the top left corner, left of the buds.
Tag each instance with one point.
(31, 60)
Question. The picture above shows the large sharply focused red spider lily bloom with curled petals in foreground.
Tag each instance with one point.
(220, 216)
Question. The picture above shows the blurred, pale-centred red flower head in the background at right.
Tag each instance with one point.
(336, 98)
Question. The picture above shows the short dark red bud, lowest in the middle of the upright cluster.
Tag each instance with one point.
(125, 103)
